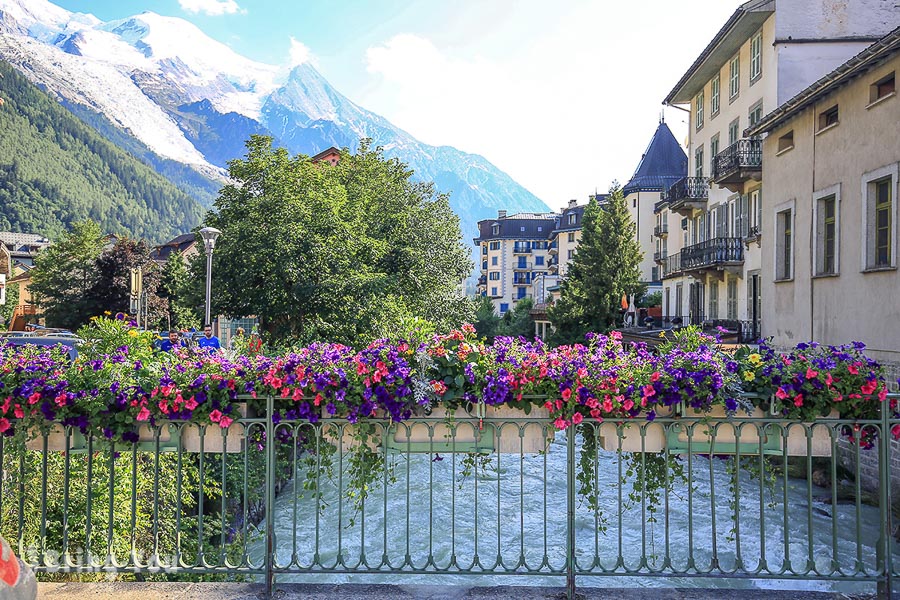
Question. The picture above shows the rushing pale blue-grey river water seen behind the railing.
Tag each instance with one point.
(515, 507)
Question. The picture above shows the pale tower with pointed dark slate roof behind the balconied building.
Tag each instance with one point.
(662, 165)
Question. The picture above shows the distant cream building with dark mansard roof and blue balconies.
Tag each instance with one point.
(514, 249)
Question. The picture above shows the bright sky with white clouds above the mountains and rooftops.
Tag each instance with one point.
(563, 96)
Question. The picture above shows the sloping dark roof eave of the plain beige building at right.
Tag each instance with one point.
(869, 58)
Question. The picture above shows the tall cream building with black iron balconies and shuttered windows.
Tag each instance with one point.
(765, 53)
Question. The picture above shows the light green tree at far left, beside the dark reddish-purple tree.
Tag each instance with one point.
(64, 275)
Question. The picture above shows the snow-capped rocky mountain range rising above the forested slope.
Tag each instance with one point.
(192, 99)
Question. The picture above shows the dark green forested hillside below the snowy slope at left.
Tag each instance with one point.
(54, 170)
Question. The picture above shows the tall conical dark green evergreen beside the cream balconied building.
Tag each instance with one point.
(606, 266)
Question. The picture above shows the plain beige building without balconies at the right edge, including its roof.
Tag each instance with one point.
(832, 167)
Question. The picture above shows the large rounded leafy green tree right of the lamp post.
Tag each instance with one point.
(344, 253)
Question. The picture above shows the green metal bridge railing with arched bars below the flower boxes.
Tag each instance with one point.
(468, 497)
